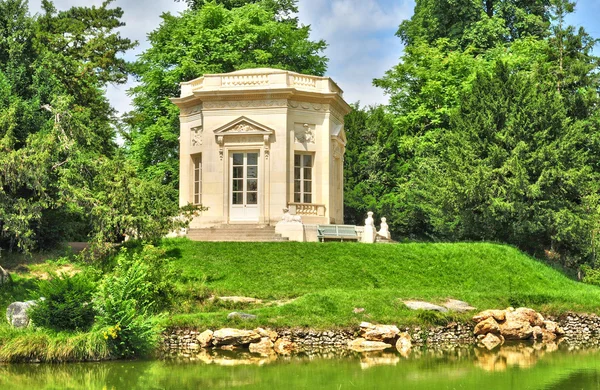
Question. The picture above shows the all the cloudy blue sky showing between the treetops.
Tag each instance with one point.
(360, 34)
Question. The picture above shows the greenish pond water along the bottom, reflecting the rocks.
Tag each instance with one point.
(467, 368)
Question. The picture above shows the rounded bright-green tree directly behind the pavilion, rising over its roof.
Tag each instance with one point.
(209, 39)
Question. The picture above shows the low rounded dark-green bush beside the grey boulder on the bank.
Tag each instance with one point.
(67, 306)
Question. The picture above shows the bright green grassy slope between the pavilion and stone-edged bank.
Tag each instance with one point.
(332, 279)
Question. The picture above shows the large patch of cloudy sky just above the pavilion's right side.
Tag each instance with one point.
(362, 44)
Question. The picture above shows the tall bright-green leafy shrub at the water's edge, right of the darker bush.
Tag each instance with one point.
(128, 297)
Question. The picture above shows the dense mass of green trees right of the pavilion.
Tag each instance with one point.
(493, 130)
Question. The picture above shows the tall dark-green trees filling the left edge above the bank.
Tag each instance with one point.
(53, 112)
